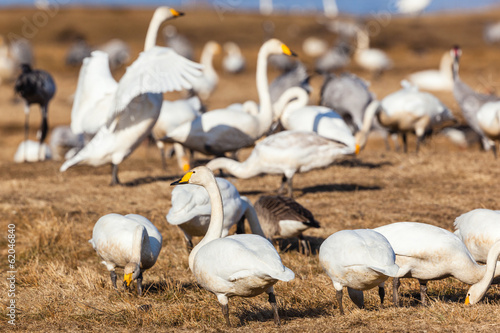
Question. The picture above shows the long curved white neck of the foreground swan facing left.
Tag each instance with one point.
(216, 217)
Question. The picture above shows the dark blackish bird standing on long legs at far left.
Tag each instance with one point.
(35, 87)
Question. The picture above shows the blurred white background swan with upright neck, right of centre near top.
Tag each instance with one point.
(373, 60)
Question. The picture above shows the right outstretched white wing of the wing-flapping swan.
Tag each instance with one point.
(158, 70)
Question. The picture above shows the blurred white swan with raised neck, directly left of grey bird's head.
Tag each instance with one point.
(435, 79)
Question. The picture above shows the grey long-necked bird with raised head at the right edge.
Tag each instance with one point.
(470, 101)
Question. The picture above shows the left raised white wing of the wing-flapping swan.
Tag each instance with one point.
(95, 90)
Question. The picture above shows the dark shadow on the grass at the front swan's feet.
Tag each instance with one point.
(263, 313)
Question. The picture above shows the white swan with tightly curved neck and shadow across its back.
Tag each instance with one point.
(297, 116)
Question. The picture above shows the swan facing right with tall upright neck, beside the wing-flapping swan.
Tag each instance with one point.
(227, 130)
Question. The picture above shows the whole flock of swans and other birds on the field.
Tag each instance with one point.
(110, 119)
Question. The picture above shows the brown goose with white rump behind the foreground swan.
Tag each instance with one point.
(284, 217)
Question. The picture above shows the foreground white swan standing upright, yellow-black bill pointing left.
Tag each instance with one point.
(238, 265)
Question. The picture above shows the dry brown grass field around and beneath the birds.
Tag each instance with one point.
(60, 283)
